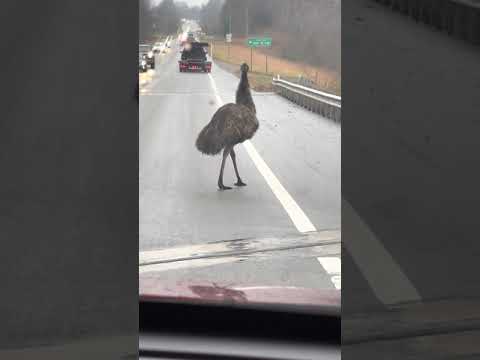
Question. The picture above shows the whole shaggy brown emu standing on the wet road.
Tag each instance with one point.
(230, 125)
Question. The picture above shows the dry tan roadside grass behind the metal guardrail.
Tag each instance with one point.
(267, 64)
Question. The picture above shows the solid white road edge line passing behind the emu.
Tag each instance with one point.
(296, 214)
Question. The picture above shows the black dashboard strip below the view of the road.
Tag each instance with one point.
(200, 332)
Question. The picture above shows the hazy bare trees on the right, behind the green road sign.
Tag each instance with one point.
(309, 30)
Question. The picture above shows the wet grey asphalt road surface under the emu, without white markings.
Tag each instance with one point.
(179, 202)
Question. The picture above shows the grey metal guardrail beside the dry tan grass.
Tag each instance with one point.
(320, 102)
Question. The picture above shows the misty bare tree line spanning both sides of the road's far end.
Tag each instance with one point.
(307, 30)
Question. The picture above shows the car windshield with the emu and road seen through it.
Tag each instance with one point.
(239, 152)
